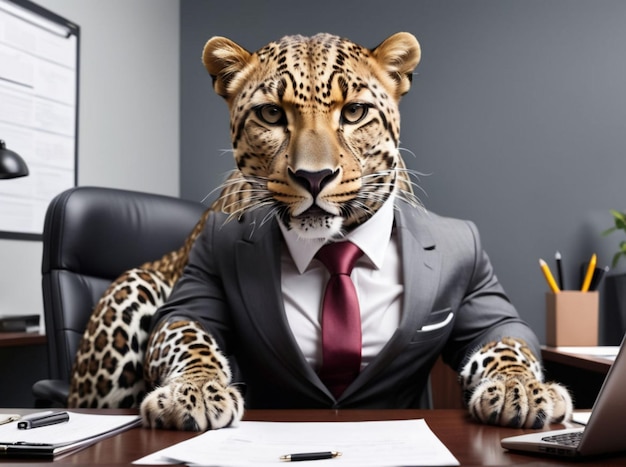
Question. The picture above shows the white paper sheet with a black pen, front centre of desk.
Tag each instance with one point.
(363, 444)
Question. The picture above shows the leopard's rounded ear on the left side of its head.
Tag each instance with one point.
(224, 60)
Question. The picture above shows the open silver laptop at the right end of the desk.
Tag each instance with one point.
(603, 434)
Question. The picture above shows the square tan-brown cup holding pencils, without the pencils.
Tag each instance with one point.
(572, 318)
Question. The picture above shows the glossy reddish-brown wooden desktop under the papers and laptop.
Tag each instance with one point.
(470, 442)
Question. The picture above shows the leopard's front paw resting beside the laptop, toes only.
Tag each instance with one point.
(519, 402)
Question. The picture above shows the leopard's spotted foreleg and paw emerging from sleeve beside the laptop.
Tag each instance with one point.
(503, 385)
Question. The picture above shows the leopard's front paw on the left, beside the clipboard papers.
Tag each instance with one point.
(192, 405)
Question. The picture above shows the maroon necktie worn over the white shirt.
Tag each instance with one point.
(341, 318)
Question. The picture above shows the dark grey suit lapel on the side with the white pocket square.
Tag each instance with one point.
(421, 267)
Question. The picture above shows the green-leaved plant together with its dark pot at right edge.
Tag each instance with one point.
(615, 284)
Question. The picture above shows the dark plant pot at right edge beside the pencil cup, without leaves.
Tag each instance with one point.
(614, 309)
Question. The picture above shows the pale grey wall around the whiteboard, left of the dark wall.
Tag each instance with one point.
(129, 117)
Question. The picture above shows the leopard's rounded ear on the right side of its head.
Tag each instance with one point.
(399, 55)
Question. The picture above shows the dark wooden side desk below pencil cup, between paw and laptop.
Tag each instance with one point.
(582, 374)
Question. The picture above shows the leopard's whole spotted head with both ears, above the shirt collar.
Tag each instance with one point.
(315, 126)
